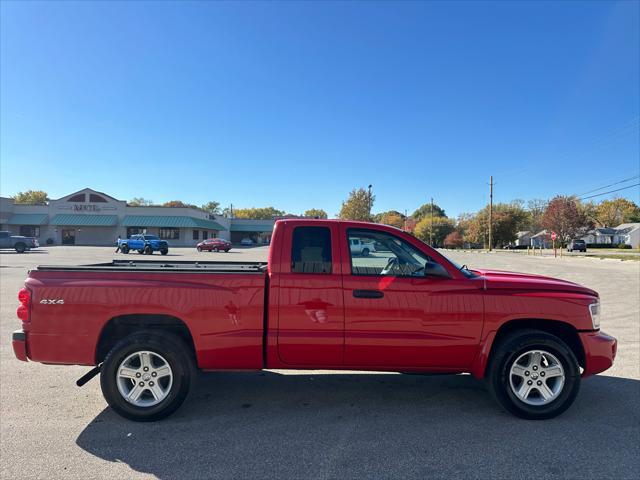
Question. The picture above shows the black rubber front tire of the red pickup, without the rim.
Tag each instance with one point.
(507, 352)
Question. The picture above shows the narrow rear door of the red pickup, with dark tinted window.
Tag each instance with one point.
(311, 310)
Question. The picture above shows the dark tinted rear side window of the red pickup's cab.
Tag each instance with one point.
(311, 250)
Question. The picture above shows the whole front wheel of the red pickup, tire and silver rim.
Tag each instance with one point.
(534, 375)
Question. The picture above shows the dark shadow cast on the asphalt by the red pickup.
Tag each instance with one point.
(267, 425)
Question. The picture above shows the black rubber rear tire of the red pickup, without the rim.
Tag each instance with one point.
(177, 355)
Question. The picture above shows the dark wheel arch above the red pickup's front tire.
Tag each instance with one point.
(563, 330)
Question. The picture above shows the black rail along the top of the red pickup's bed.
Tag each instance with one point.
(163, 266)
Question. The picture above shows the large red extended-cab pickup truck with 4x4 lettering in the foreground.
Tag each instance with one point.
(147, 326)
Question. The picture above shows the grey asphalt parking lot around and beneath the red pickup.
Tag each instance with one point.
(323, 424)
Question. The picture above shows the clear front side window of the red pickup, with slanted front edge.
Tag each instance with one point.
(383, 254)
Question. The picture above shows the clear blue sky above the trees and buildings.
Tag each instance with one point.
(294, 104)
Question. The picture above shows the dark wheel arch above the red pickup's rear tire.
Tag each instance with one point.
(122, 325)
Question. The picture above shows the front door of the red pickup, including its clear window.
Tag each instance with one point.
(402, 310)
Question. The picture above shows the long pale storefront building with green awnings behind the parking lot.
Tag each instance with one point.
(89, 217)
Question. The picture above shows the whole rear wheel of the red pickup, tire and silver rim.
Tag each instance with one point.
(147, 375)
